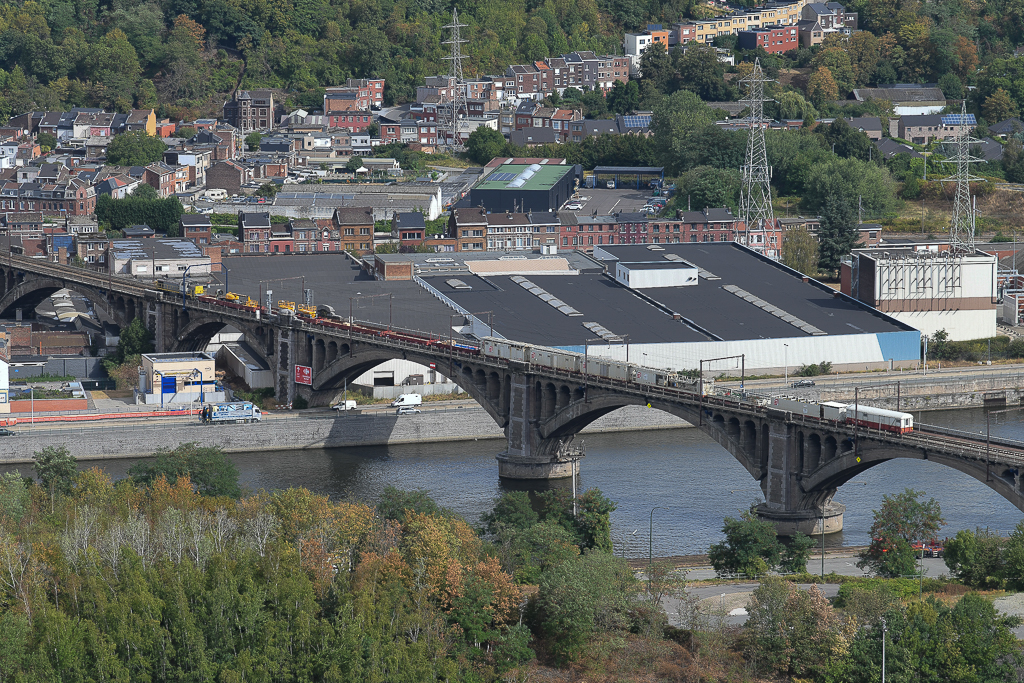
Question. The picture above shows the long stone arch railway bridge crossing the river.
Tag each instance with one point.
(799, 461)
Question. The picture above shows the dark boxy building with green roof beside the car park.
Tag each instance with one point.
(522, 189)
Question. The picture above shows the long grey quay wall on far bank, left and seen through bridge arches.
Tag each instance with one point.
(293, 432)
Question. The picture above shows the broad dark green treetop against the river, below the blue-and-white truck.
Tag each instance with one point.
(210, 472)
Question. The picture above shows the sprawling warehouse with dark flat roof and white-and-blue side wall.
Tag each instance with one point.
(663, 306)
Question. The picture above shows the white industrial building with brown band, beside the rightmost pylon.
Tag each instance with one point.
(928, 290)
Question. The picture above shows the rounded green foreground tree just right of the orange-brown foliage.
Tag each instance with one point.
(582, 597)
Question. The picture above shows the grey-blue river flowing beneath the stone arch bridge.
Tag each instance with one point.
(680, 469)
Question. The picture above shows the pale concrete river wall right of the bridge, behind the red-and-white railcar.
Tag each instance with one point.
(945, 394)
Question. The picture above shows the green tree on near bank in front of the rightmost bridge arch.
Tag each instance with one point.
(903, 521)
